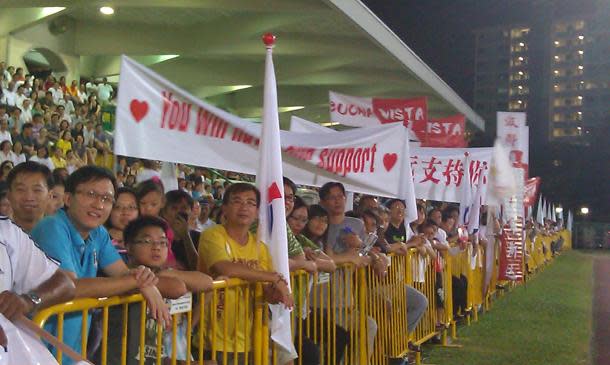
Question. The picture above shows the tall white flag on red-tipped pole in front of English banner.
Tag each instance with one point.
(272, 213)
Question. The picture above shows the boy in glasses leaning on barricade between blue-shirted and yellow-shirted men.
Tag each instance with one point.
(147, 244)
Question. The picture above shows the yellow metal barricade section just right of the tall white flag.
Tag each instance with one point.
(330, 314)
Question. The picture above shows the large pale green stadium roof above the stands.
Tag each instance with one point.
(213, 49)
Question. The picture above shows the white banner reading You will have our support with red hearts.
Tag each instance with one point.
(157, 120)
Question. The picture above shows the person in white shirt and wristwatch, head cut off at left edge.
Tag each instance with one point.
(29, 280)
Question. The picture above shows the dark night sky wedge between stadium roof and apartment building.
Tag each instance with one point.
(441, 32)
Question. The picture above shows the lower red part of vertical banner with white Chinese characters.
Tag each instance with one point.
(512, 240)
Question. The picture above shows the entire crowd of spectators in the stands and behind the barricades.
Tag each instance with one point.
(114, 233)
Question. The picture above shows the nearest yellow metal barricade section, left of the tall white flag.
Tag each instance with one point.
(224, 329)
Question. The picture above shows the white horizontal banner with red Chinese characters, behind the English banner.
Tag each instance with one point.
(438, 172)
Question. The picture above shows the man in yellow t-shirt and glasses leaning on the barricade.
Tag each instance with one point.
(230, 250)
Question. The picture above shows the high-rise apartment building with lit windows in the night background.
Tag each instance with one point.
(558, 71)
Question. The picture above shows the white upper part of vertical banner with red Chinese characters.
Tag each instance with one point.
(514, 134)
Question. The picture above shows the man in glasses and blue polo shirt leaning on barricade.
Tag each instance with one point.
(76, 237)
